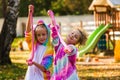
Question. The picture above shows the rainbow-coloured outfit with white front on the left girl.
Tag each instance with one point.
(43, 54)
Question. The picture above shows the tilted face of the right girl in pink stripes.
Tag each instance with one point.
(73, 37)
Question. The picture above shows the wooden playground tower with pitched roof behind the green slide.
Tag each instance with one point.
(107, 11)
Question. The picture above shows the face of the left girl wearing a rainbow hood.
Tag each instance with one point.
(41, 34)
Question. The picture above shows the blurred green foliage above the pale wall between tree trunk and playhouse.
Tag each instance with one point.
(60, 7)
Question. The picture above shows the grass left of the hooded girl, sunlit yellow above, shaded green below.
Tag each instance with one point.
(17, 70)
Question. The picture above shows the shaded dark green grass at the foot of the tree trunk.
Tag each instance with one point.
(15, 71)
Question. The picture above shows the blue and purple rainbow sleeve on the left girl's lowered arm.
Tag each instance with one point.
(47, 62)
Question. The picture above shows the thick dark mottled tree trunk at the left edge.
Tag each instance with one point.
(8, 32)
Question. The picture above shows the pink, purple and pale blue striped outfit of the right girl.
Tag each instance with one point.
(64, 64)
